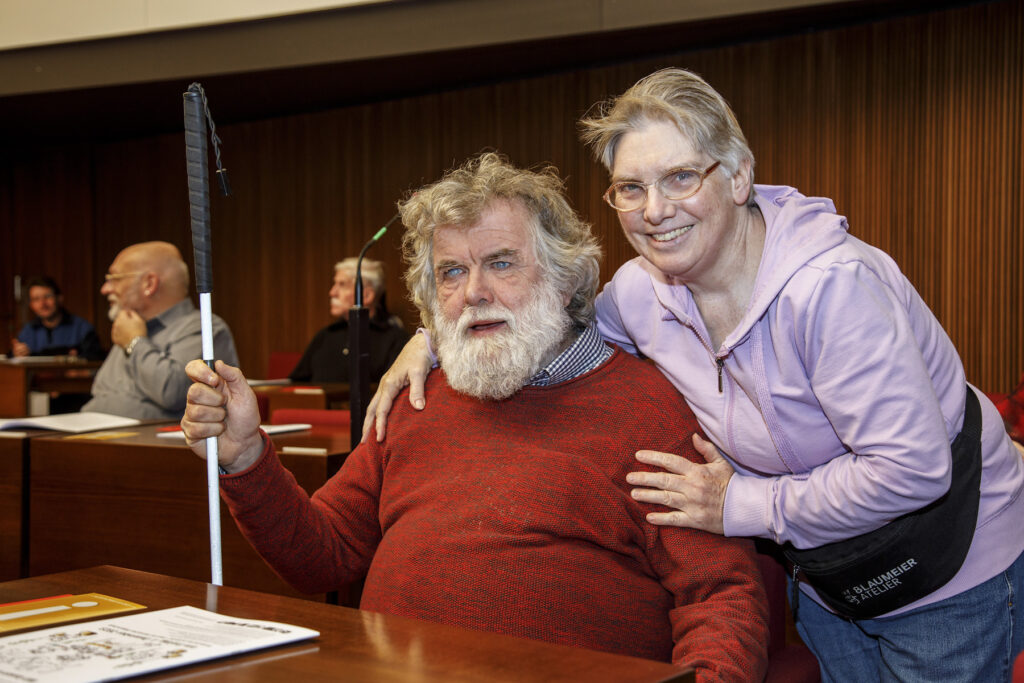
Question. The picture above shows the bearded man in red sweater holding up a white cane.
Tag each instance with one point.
(504, 505)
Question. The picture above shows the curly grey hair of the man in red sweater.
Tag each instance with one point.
(567, 251)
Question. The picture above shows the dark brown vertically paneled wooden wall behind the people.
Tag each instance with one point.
(914, 126)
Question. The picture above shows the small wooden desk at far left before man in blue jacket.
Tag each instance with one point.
(51, 374)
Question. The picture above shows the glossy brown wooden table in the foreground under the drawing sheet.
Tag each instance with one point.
(354, 646)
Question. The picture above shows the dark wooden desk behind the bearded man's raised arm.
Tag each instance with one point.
(140, 501)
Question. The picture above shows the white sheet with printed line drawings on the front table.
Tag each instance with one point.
(123, 647)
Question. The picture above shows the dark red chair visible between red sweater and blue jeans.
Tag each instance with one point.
(788, 663)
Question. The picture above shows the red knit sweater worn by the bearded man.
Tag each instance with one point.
(516, 518)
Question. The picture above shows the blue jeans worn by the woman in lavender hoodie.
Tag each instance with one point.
(970, 637)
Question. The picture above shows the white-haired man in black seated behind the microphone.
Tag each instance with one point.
(326, 359)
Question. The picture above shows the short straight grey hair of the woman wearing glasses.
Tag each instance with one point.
(678, 97)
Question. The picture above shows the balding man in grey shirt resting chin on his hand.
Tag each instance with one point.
(156, 331)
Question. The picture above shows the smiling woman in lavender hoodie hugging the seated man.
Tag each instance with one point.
(828, 391)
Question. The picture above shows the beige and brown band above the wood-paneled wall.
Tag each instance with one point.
(141, 44)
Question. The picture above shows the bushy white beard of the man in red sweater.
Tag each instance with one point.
(497, 366)
